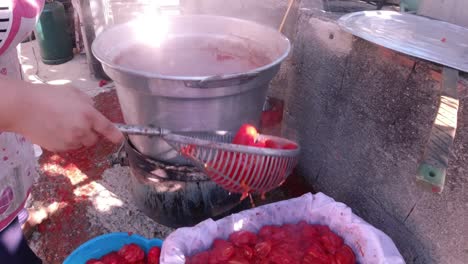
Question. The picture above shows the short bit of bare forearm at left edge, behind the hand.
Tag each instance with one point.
(12, 103)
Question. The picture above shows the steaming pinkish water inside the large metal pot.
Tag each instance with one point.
(195, 55)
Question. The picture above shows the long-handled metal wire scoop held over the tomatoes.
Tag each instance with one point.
(236, 168)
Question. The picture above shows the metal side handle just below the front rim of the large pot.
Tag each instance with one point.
(219, 81)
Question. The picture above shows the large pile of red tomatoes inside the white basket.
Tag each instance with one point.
(301, 243)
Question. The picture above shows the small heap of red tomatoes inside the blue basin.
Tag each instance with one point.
(129, 254)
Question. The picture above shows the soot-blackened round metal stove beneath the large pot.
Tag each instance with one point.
(175, 195)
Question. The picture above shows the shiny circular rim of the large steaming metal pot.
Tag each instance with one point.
(152, 75)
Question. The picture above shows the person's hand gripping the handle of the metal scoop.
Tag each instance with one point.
(61, 118)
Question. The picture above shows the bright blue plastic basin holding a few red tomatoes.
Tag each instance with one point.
(102, 245)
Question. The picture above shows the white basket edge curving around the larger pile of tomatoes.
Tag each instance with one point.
(370, 245)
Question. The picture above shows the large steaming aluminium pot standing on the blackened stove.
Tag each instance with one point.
(190, 73)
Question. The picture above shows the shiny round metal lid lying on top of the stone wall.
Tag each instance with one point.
(418, 36)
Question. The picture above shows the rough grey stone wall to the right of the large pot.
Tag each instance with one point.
(363, 114)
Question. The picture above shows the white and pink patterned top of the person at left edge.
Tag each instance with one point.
(18, 165)
